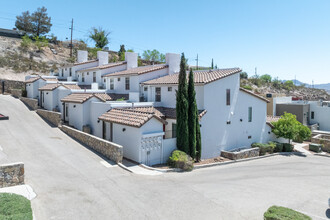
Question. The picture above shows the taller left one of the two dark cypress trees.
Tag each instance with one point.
(182, 140)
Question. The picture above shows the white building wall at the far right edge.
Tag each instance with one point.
(321, 115)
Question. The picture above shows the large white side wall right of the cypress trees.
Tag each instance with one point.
(217, 135)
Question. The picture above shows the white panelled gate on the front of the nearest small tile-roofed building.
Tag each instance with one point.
(151, 150)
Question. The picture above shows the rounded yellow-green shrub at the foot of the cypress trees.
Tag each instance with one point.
(180, 159)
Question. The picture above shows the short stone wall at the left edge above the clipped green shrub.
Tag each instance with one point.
(11, 174)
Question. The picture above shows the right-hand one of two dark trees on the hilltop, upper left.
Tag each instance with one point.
(41, 23)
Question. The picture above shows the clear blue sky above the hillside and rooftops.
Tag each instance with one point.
(281, 38)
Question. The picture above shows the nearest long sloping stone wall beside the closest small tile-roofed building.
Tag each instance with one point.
(108, 149)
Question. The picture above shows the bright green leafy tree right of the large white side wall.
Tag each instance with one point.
(287, 127)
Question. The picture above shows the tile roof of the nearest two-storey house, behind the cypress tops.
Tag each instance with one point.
(200, 76)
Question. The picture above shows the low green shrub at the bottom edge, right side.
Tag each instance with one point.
(282, 213)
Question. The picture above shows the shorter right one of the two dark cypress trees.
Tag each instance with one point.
(192, 114)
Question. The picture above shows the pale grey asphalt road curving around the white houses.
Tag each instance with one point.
(72, 182)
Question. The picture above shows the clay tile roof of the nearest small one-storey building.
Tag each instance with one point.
(135, 117)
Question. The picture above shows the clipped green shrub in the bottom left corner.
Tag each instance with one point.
(15, 207)
